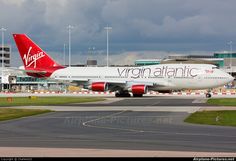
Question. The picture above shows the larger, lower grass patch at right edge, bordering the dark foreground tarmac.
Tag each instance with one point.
(223, 118)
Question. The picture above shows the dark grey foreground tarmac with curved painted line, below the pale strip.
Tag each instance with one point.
(116, 130)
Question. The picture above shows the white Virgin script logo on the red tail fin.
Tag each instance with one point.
(30, 60)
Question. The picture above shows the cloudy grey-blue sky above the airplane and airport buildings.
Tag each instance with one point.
(141, 28)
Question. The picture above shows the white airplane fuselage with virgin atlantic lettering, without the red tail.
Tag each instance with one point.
(159, 77)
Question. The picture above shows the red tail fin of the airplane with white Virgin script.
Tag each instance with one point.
(33, 57)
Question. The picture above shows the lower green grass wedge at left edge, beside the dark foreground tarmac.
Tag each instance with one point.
(8, 113)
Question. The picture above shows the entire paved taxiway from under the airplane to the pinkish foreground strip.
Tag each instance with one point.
(144, 124)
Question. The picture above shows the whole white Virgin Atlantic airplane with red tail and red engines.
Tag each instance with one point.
(121, 80)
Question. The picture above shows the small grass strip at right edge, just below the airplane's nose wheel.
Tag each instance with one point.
(222, 101)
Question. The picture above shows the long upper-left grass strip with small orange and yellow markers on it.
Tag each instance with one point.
(44, 101)
